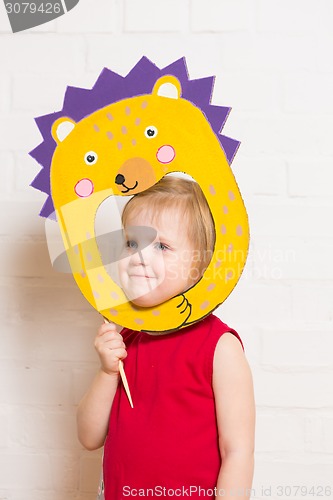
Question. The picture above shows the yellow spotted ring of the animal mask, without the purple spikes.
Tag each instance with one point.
(122, 149)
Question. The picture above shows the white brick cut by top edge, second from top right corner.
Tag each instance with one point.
(220, 15)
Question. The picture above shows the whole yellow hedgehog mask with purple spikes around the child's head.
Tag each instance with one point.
(117, 140)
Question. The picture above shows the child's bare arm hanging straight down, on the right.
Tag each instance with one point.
(235, 411)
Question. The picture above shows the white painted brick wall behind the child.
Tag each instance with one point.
(274, 66)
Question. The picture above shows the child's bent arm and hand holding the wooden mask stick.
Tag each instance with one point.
(94, 409)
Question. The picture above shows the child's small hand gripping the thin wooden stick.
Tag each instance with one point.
(110, 348)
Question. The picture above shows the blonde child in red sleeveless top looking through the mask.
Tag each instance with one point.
(191, 431)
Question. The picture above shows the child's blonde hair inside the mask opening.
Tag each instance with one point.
(177, 193)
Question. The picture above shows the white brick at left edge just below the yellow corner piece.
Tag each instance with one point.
(29, 53)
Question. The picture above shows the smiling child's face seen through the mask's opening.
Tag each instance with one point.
(157, 260)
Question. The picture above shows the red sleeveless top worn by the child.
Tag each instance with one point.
(167, 443)
